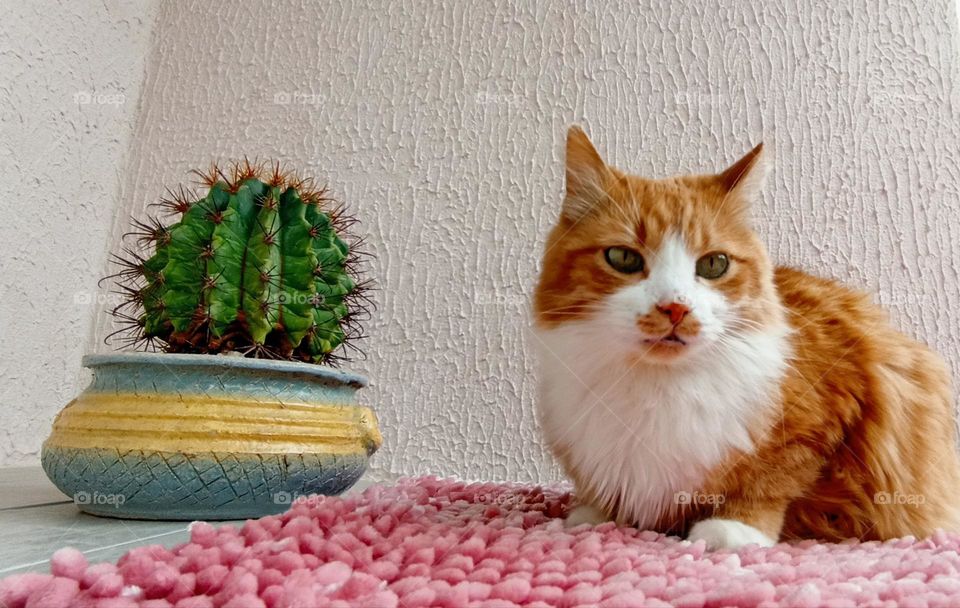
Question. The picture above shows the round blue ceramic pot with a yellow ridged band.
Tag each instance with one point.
(163, 436)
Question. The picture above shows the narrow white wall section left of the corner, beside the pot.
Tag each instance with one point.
(70, 74)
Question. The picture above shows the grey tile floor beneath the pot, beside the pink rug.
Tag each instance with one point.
(36, 519)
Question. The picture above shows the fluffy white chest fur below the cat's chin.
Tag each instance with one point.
(641, 433)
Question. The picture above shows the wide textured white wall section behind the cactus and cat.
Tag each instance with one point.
(441, 124)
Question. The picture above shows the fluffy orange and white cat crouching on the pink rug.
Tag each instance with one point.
(691, 387)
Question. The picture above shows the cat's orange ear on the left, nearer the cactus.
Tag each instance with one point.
(587, 175)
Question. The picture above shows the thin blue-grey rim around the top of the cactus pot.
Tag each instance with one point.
(226, 362)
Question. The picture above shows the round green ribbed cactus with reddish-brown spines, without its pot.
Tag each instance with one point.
(260, 265)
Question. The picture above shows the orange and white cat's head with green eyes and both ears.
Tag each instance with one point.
(659, 268)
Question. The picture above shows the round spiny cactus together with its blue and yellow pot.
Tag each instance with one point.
(243, 303)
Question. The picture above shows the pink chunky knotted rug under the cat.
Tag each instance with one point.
(434, 542)
